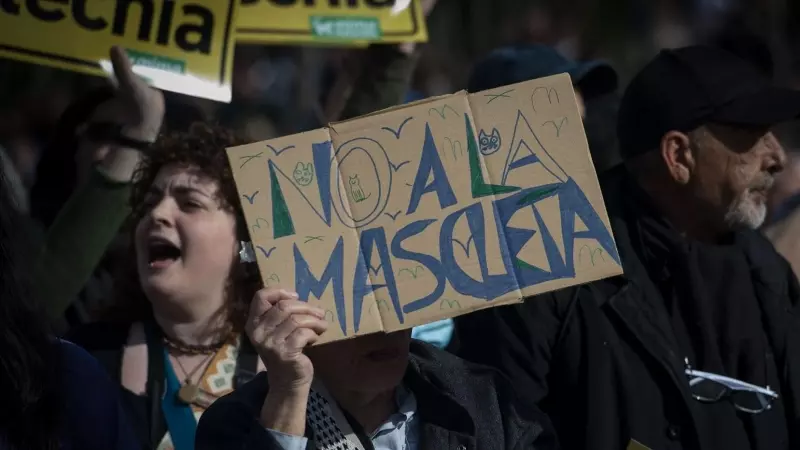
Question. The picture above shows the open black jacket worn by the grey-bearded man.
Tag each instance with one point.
(602, 360)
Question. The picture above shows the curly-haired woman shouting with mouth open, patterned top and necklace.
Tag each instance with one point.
(176, 345)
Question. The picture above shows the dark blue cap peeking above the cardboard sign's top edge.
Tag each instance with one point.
(522, 62)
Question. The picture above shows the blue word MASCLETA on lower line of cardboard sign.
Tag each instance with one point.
(518, 274)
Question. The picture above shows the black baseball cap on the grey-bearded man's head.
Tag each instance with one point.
(685, 88)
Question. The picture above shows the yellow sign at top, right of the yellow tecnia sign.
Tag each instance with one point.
(331, 21)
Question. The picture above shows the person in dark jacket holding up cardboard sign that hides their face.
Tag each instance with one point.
(383, 391)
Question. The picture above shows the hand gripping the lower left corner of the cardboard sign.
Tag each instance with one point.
(280, 327)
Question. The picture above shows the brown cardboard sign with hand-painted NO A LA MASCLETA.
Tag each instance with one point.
(430, 210)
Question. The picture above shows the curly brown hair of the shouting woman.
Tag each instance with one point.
(201, 148)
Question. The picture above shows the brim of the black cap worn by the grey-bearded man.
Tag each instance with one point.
(767, 107)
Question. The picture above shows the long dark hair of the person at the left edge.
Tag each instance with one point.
(31, 412)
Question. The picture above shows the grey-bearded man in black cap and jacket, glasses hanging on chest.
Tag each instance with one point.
(696, 346)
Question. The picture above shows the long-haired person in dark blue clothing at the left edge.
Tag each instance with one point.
(54, 395)
